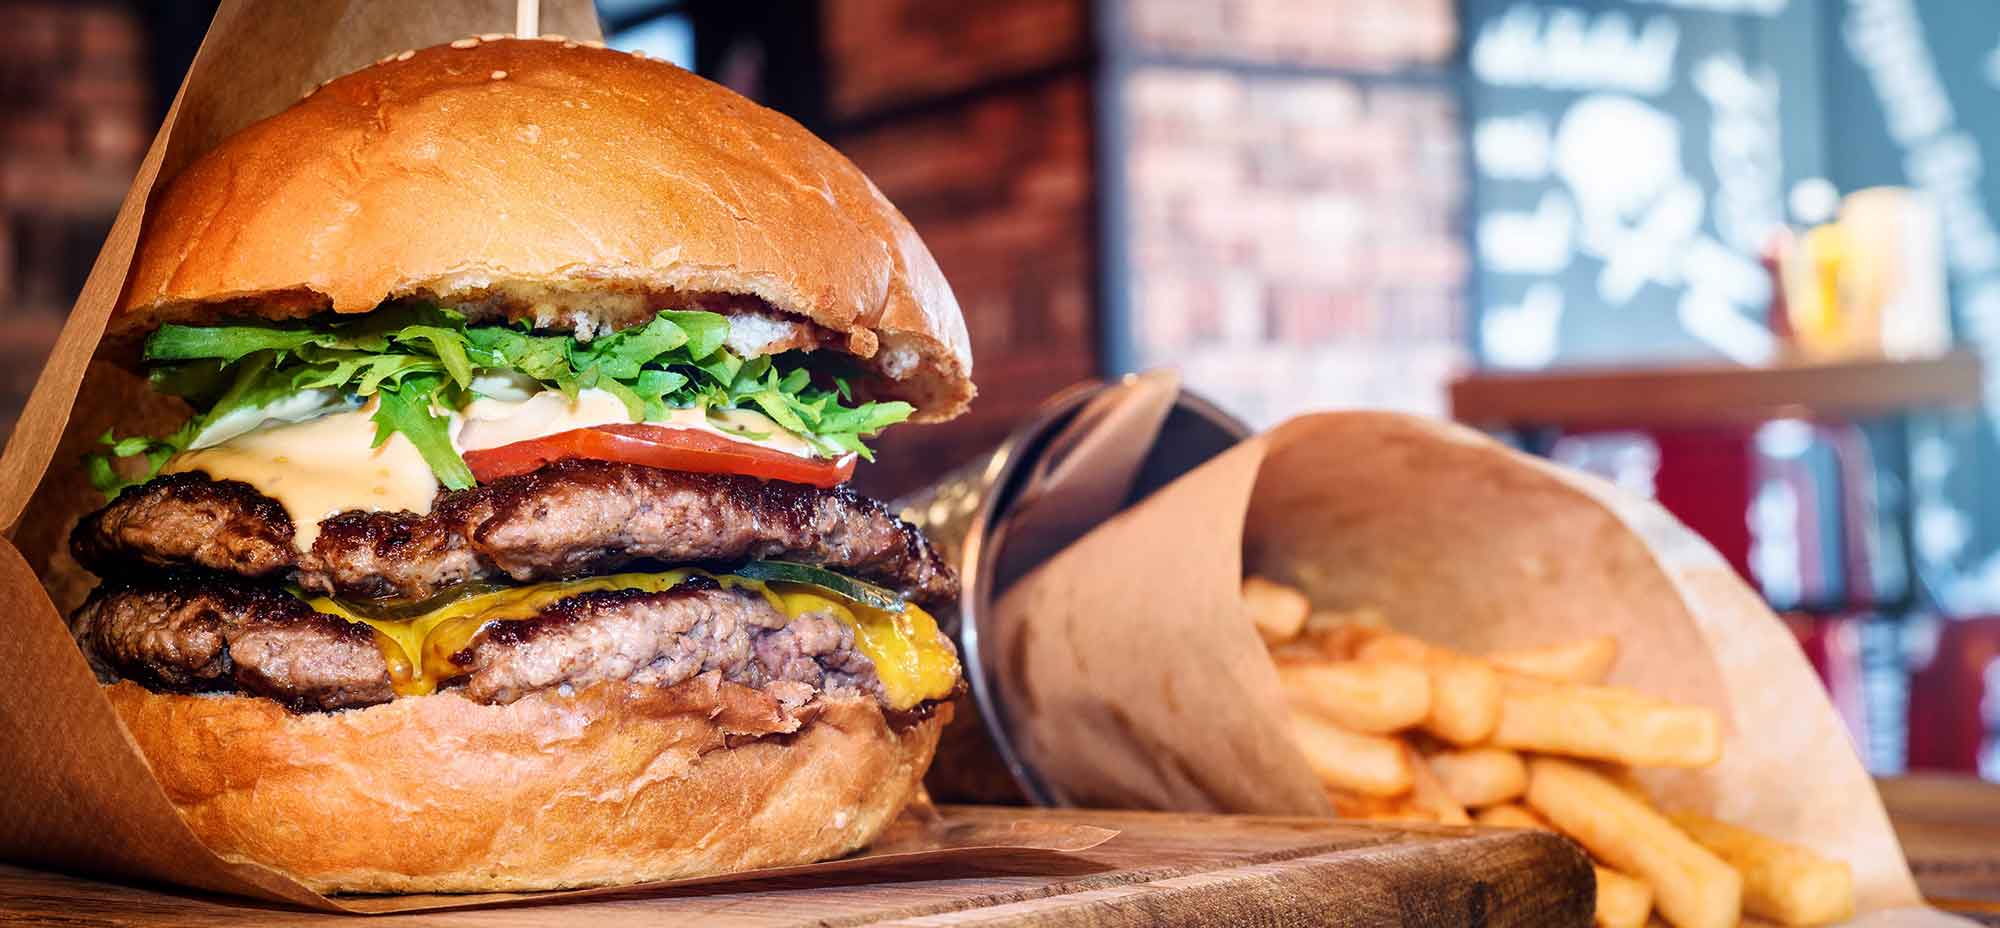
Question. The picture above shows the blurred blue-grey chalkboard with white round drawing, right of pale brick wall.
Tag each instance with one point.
(1631, 161)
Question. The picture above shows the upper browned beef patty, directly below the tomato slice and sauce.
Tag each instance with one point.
(565, 521)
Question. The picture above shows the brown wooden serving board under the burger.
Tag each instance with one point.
(1161, 869)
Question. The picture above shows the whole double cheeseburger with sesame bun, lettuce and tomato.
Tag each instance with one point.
(507, 543)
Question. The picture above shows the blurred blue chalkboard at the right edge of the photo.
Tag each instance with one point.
(1913, 97)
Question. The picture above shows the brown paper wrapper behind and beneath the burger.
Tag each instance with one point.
(75, 793)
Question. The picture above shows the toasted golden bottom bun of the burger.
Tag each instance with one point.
(611, 785)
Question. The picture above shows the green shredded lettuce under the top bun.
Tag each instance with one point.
(423, 361)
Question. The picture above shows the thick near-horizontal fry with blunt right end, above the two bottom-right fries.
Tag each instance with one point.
(1603, 723)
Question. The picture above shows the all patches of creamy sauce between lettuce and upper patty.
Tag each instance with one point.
(323, 467)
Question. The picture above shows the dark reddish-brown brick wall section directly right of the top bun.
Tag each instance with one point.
(977, 125)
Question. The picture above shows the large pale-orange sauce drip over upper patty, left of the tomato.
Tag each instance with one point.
(321, 467)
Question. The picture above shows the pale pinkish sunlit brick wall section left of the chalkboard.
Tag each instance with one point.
(1293, 201)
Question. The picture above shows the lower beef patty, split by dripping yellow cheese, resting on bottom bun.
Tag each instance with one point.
(211, 633)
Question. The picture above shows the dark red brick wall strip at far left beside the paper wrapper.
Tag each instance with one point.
(75, 121)
